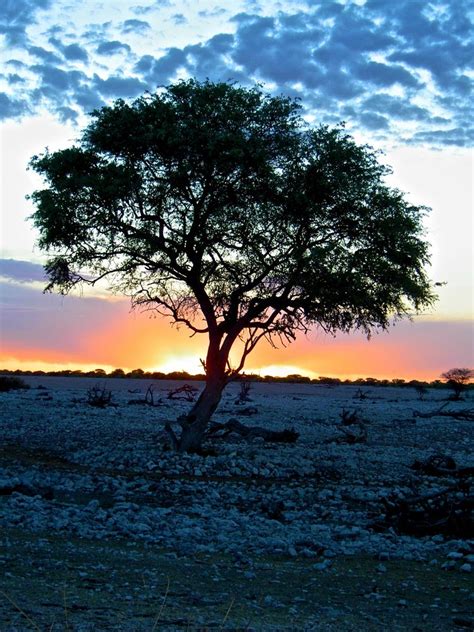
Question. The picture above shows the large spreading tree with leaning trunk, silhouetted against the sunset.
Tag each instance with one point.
(219, 207)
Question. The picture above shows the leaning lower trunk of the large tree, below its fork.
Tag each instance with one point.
(196, 421)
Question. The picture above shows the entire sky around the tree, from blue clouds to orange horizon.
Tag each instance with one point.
(398, 73)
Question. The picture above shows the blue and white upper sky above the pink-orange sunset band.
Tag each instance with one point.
(398, 72)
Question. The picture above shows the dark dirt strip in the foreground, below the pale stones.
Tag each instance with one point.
(54, 583)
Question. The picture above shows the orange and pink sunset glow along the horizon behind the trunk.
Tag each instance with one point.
(130, 340)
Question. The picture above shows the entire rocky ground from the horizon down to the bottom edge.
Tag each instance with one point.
(103, 528)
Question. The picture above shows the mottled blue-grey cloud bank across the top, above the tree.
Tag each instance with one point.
(392, 69)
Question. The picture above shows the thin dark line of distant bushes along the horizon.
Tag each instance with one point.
(140, 374)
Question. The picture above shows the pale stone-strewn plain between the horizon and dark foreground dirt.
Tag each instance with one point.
(316, 498)
